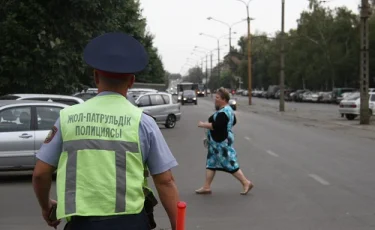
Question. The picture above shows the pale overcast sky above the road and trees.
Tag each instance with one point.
(177, 24)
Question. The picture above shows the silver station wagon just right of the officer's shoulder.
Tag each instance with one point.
(160, 106)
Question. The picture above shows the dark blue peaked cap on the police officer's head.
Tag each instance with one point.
(116, 53)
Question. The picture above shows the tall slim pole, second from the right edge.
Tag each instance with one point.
(282, 59)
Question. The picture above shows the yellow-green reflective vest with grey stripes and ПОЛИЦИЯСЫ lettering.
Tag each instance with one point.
(100, 171)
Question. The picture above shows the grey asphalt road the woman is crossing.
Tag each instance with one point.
(305, 178)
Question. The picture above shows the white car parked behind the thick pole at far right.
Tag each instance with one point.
(350, 106)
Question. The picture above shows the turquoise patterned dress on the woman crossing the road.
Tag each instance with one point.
(221, 155)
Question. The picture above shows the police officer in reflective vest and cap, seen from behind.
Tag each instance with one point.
(102, 147)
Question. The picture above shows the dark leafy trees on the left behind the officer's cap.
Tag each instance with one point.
(42, 42)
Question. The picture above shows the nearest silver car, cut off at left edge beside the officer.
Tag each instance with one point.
(24, 125)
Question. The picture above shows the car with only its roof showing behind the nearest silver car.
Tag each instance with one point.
(69, 100)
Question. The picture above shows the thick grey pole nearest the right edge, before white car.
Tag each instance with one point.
(364, 69)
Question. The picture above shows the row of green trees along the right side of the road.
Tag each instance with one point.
(321, 53)
